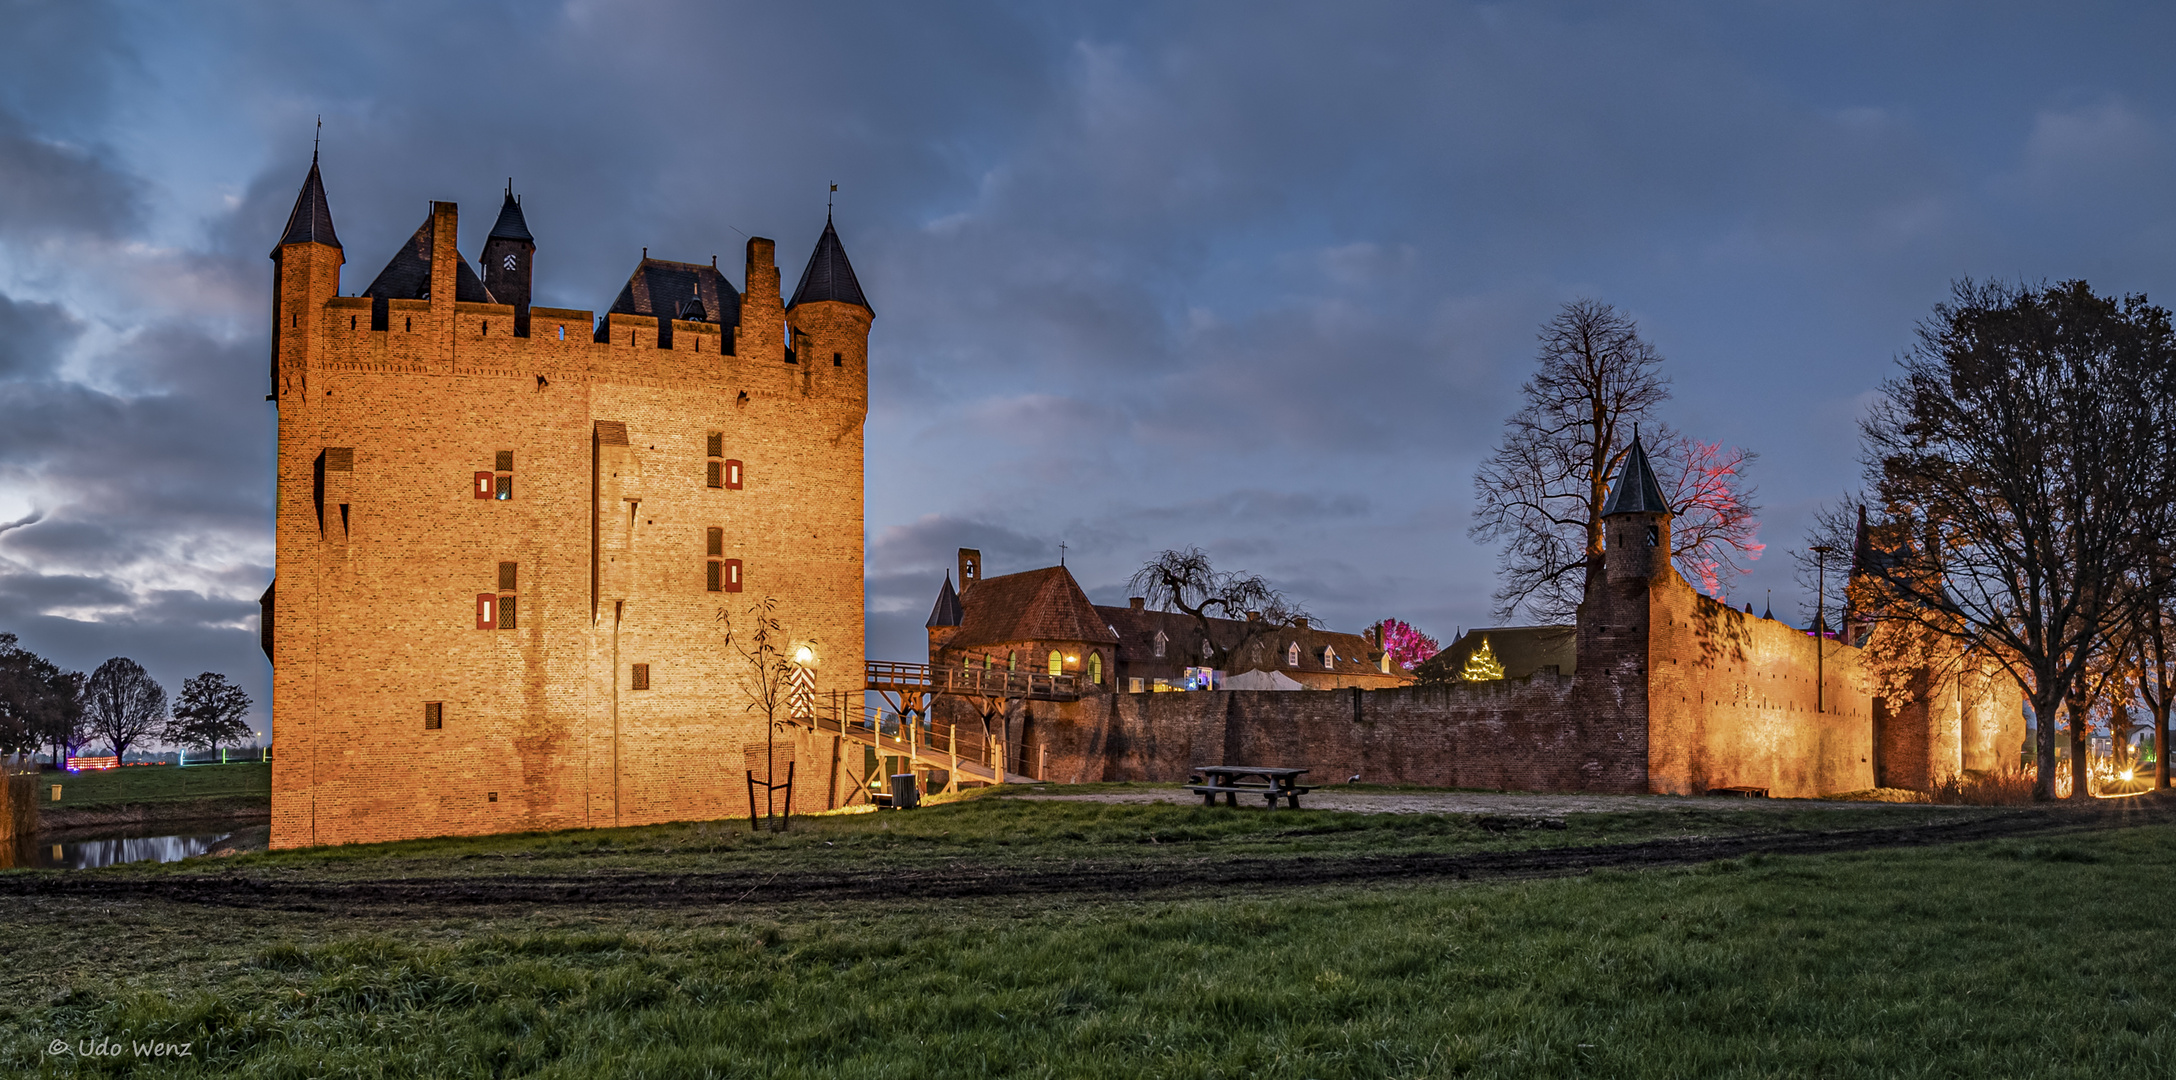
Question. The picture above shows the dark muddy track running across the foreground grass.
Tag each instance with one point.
(959, 881)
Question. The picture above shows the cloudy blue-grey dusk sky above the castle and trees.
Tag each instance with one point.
(1257, 278)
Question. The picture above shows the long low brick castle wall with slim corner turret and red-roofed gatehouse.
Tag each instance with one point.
(1653, 689)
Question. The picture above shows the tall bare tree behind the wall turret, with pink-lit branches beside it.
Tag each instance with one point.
(1542, 491)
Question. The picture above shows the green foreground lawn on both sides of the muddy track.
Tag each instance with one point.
(1986, 959)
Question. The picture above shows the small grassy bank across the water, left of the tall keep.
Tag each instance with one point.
(158, 794)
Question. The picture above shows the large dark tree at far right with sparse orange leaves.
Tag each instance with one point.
(2027, 447)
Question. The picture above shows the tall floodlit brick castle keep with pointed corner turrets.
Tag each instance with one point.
(512, 537)
